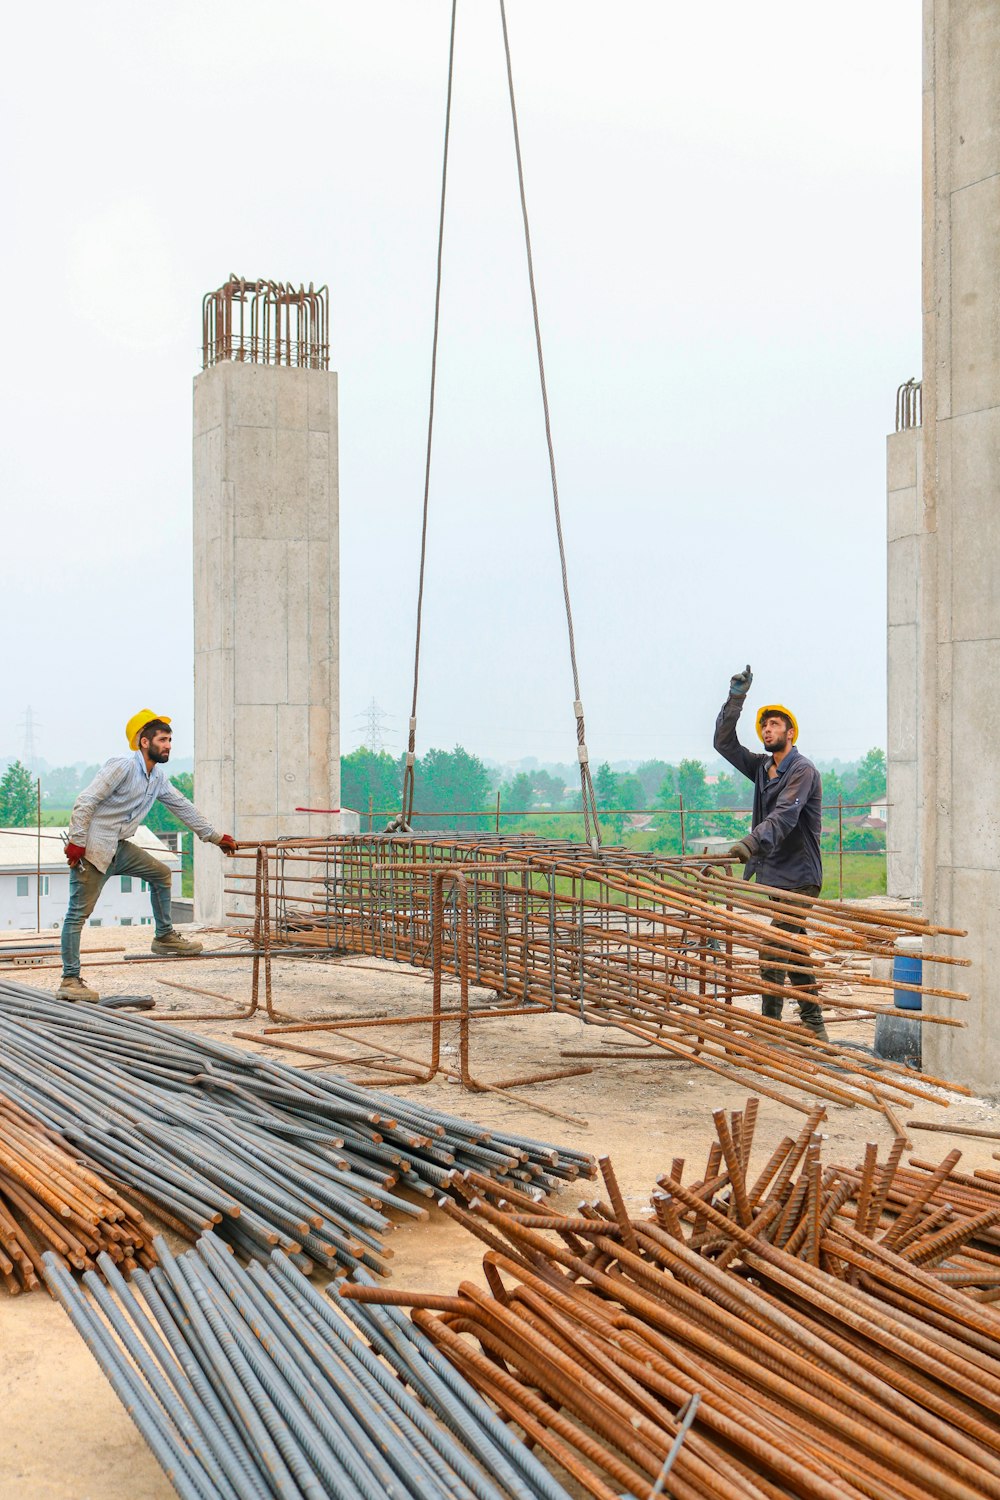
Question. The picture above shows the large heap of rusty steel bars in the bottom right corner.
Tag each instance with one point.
(872, 1373)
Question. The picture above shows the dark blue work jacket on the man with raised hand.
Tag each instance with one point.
(788, 809)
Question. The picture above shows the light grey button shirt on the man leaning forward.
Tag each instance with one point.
(119, 799)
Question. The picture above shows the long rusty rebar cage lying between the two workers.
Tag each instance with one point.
(668, 950)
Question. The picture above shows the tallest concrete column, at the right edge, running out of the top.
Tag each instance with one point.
(960, 518)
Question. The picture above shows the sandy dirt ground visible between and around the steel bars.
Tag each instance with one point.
(65, 1436)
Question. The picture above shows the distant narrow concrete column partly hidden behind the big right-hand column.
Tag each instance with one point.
(903, 526)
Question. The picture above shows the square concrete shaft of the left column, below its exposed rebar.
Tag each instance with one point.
(268, 733)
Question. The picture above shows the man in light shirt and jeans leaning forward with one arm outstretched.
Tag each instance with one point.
(104, 818)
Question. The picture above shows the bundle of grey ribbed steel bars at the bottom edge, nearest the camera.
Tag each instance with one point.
(248, 1384)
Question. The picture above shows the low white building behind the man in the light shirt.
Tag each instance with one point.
(125, 901)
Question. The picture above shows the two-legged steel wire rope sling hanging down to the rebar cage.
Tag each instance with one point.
(404, 823)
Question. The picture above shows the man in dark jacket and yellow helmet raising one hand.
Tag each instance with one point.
(783, 847)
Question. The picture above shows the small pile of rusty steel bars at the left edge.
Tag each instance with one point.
(52, 1201)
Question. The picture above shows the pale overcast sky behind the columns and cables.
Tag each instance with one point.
(725, 209)
